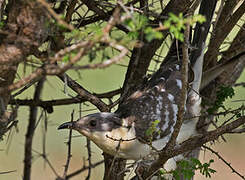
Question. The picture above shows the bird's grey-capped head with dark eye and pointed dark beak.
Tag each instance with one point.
(94, 126)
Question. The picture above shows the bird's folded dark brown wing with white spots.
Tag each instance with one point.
(153, 109)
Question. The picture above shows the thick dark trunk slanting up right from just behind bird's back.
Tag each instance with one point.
(141, 57)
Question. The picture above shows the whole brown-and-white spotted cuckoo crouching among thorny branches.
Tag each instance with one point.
(145, 121)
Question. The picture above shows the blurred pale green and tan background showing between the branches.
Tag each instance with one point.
(102, 80)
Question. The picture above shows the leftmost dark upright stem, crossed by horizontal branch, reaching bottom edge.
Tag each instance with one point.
(30, 132)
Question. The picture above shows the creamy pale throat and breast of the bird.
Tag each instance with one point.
(122, 142)
